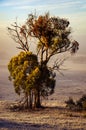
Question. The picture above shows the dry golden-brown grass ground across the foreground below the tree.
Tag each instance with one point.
(50, 118)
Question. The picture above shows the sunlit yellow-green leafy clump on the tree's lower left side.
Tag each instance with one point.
(20, 67)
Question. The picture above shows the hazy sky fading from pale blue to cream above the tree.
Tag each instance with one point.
(73, 10)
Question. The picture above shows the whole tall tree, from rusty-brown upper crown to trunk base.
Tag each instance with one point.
(32, 73)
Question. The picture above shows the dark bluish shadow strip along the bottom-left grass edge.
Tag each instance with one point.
(12, 125)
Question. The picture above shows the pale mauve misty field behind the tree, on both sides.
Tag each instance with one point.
(71, 84)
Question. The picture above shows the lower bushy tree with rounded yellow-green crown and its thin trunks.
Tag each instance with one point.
(29, 79)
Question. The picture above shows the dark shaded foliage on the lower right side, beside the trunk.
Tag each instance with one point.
(47, 81)
